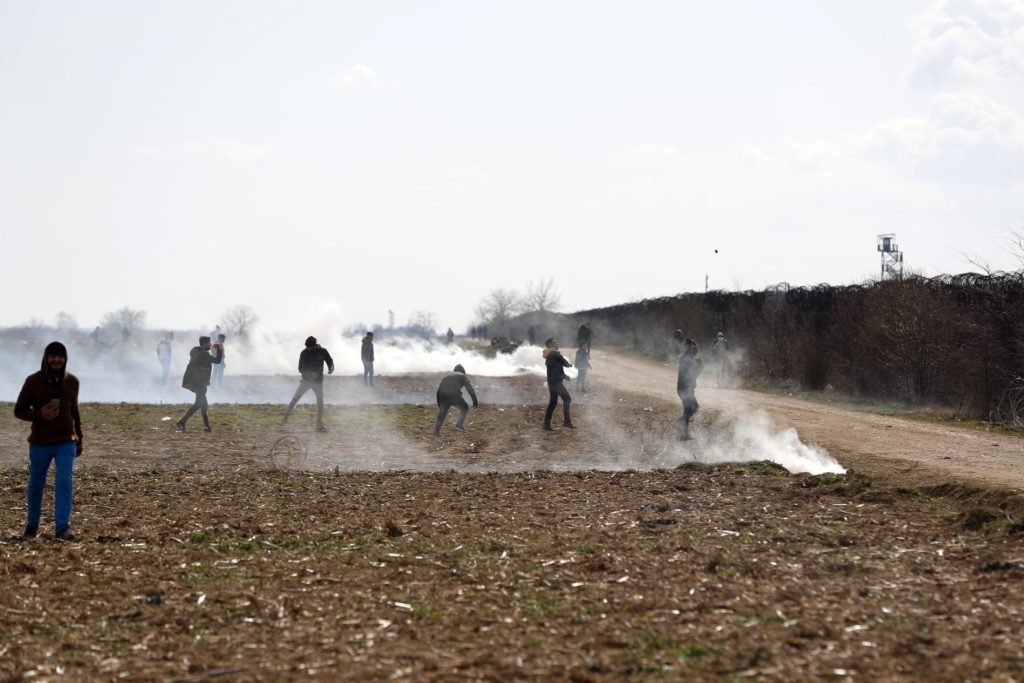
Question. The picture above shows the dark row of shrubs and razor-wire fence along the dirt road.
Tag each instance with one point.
(955, 340)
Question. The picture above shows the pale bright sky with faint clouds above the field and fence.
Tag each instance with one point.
(325, 162)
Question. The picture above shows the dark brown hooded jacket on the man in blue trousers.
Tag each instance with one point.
(38, 391)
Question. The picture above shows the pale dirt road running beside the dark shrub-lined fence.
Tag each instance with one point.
(898, 450)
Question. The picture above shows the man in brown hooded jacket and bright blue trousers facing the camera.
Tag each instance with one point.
(50, 401)
